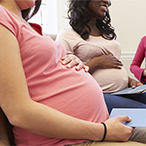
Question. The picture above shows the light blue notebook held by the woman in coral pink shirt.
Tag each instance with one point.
(138, 116)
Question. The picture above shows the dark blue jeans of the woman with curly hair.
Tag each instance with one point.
(129, 101)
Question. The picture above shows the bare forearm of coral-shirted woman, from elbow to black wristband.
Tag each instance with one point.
(46, 121)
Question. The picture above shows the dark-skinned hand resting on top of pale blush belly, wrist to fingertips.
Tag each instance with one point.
(108, 61)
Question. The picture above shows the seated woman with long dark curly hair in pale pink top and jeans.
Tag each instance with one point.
(91, 37)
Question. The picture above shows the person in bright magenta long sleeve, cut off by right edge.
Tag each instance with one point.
(140, 73)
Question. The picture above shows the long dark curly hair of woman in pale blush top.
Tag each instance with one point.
(79, 16)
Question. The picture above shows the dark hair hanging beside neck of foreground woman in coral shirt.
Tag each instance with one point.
(27, 14)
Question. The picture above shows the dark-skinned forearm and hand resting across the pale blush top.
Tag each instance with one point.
(103, 62)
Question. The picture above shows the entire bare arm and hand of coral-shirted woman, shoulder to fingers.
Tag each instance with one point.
(21, 110)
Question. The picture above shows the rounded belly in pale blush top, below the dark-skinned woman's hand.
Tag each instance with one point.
(111, 80)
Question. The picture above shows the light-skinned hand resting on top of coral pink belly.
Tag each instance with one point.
(72, 60)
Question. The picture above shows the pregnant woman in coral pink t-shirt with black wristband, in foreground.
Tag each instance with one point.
(47, 103)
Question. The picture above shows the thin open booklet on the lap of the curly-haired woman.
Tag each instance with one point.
(137, 90)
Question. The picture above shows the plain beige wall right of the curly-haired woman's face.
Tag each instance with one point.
(129, 19)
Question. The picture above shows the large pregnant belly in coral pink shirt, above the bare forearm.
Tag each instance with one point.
(75, 93)
